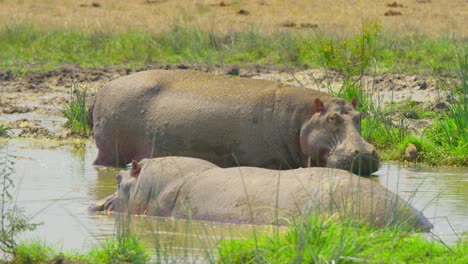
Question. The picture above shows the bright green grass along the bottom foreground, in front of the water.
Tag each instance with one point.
(313, 240)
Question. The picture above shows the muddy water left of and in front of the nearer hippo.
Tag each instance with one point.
(56, 182)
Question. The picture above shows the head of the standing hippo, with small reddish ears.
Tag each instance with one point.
(331, 138)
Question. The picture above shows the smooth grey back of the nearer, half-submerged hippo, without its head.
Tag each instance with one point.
(261, 196)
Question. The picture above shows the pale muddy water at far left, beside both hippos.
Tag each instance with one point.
(55, 183)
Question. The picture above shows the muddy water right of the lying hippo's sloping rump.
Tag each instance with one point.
(440, 192)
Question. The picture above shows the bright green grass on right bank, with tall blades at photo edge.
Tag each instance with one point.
(446, 141)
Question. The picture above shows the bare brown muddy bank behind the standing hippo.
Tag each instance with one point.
(31, 104)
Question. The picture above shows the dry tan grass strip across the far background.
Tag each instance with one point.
(339, 16)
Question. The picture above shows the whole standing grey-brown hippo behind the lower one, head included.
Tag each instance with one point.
(229, 121)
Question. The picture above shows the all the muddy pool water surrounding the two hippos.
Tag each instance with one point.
(56, 182)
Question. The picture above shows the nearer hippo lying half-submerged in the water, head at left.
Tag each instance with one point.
(249, 195)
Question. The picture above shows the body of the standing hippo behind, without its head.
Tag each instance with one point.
(228, 121)
